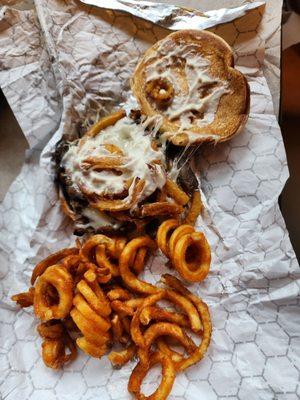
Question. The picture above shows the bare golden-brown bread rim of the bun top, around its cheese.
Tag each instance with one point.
(233, 107)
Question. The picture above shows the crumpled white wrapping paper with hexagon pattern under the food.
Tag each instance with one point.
(63, 61)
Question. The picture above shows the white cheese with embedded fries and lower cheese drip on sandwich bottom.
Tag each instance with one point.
(111, 164)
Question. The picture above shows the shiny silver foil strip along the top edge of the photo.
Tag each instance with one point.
(174, 17)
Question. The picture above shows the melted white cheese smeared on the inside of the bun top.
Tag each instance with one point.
(202, 92)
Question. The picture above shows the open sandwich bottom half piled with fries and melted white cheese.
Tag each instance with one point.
(115, 177)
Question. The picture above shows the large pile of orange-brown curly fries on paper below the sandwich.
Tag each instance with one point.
(81, 309)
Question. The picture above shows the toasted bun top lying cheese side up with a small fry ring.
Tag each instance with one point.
(188, 78)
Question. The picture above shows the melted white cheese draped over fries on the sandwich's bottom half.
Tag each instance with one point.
(142, 161)
